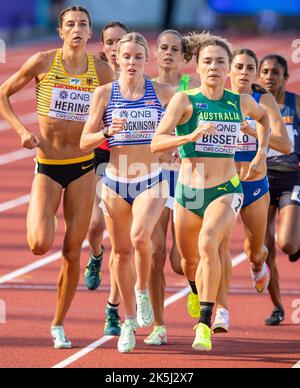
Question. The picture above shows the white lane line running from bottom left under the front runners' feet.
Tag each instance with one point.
(171, 300)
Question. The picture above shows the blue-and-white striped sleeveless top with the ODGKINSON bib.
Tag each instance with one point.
(142, 116)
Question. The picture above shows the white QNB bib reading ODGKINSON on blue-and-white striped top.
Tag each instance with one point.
(140, 124)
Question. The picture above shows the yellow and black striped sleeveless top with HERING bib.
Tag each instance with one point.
(64, 96)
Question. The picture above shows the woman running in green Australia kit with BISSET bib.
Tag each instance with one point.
(209, 195)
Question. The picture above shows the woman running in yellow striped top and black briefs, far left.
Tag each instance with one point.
(65, 81)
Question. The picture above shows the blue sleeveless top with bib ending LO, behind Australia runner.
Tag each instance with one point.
(247, 145)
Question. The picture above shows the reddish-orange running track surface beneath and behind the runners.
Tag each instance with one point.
(30, 297)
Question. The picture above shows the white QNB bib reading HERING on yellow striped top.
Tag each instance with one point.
(72, 105)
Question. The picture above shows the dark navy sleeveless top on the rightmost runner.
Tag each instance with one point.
(276, 160)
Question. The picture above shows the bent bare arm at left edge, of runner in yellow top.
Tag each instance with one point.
(35, 66)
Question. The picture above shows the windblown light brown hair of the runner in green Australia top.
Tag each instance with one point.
(195, 43)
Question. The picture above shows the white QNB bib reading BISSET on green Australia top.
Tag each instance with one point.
(224, 142)
